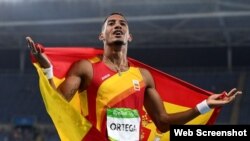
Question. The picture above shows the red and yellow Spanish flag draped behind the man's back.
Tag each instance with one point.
(69, 117)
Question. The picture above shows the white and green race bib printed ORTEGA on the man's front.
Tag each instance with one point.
(123, 124)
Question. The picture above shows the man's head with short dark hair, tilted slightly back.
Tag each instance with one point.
(115, 30)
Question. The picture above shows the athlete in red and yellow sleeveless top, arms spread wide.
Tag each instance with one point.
(101, 81)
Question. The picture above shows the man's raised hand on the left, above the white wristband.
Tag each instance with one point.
(36, 50)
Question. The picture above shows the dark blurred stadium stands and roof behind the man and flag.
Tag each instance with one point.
(204, 42)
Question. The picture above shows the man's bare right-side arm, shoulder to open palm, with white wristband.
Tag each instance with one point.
(156, 110)
